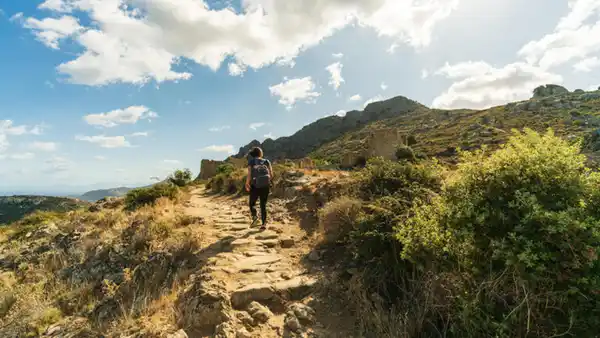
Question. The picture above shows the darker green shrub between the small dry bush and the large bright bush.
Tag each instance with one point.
(389, 190)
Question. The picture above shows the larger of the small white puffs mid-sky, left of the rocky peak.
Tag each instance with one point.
(294, 90)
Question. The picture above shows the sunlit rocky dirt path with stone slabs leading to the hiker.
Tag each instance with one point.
(258, 279)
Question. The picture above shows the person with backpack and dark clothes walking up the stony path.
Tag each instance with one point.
(258, 183)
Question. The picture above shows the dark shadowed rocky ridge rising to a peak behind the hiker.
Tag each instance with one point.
(327, 129)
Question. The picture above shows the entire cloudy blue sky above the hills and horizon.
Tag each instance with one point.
(103, 93)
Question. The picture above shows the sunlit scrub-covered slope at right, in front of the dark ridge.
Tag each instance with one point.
(439, 132)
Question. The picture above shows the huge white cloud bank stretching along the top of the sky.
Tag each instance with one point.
(126, 44)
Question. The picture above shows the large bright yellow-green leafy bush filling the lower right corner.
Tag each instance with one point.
(523, 227)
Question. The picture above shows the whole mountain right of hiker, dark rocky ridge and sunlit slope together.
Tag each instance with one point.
(440, 132)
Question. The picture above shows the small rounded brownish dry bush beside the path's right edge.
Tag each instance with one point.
(339, 217)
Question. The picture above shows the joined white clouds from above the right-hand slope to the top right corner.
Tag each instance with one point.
(575, 40)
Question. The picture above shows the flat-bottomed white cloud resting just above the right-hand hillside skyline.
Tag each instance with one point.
(480, 85)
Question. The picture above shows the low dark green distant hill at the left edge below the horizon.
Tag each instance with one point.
(13, 208)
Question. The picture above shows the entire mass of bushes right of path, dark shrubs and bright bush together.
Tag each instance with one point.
(504, 246)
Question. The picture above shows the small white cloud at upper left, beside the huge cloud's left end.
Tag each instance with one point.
(50, 30)
